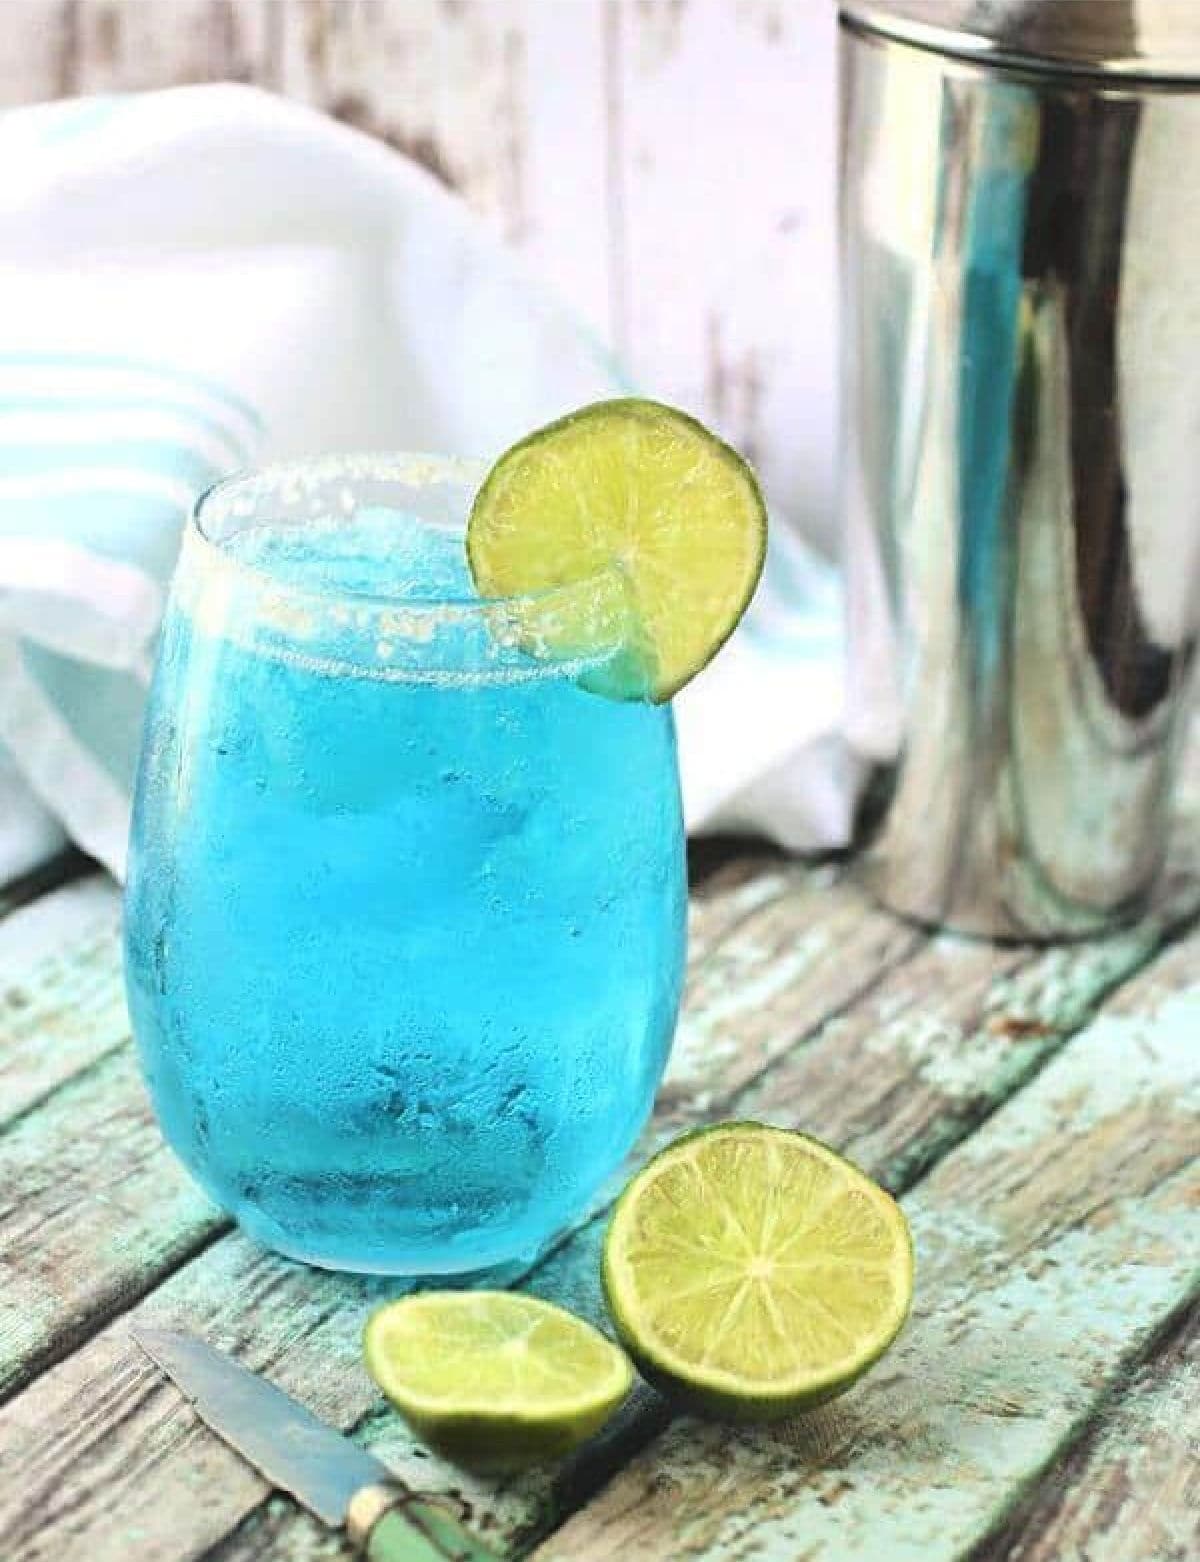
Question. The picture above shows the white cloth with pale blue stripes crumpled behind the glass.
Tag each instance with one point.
(210, 277)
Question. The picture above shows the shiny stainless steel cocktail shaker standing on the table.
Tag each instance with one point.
(1021, 460)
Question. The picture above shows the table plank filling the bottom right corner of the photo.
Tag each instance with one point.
(1134, 1486)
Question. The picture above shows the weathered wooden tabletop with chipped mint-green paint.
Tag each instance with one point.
(1037, 1110)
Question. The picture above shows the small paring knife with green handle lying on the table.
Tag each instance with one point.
(332, 1477)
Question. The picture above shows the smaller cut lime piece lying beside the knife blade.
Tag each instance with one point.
(491, 1378)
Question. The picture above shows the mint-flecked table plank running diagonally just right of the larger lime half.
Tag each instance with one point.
(1051, 1247)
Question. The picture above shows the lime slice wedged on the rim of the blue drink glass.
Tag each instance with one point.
(640, 485)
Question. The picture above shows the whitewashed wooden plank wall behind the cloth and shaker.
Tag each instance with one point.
(666, 166)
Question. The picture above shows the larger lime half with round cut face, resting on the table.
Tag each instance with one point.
(754, 1272)
